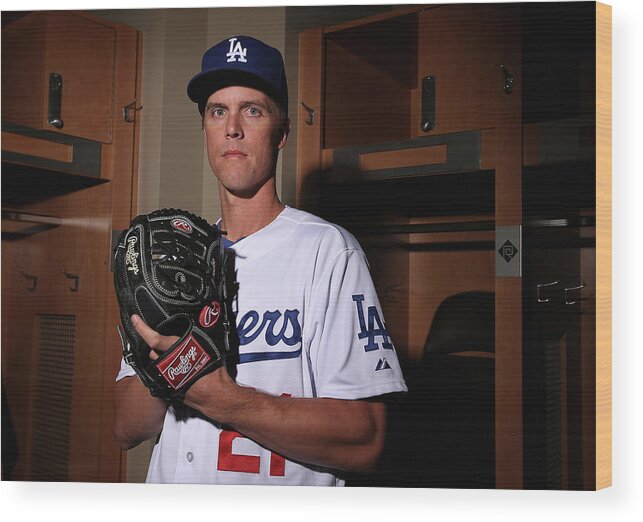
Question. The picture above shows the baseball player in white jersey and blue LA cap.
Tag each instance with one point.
(315, 357)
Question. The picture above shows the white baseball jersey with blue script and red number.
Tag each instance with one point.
(310, 325)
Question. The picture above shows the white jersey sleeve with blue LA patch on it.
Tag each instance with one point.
(351, 353)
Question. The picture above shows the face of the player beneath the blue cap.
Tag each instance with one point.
(243, 137)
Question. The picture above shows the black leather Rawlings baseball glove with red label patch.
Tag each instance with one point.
(169, 269)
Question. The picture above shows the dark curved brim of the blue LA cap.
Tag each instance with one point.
(203, 85)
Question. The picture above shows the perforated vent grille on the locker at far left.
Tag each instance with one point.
(52, 408)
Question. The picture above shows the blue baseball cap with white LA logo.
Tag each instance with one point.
(240, 60)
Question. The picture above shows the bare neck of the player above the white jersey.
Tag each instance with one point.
(241, 217)
